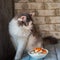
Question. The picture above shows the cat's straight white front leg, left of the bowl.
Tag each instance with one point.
(20, 49)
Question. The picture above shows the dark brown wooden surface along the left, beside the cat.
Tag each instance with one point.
(7, 50)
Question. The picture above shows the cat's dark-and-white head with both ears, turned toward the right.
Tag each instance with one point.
(25, 20)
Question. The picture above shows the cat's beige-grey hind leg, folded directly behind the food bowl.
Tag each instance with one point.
(34, 42)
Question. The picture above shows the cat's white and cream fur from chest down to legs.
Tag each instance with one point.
(19, 37)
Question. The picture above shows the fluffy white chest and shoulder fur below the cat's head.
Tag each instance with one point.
(18, 30)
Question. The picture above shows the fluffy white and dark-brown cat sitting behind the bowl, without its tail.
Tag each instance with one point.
(24, 34)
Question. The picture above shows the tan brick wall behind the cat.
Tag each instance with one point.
(47, 14)
